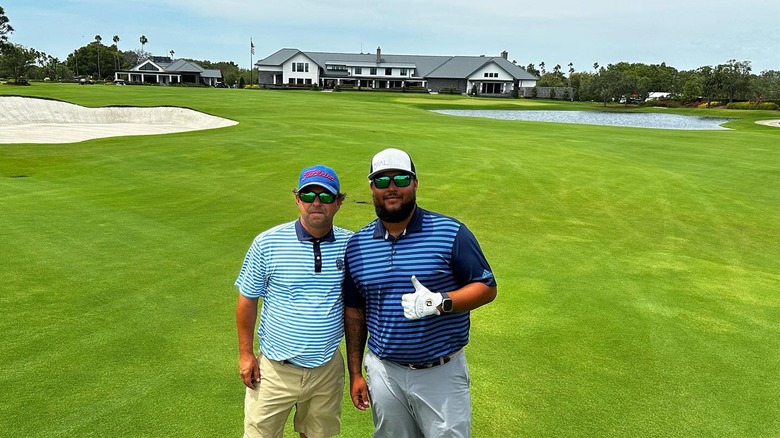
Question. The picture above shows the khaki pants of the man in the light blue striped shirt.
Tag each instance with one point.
(316, 394)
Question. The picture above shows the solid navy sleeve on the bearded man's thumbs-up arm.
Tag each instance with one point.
(468, 261)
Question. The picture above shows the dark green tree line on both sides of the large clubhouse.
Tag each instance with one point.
(730, 81)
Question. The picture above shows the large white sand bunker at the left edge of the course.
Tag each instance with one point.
(30, 120)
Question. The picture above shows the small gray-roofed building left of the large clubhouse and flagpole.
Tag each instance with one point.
(164, 71)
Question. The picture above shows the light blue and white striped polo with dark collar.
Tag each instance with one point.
(302, 316)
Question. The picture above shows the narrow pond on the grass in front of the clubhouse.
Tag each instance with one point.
(635, 120)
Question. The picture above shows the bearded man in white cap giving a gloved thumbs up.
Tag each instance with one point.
(412, 276)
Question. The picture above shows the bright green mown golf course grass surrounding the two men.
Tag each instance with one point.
(638, 269)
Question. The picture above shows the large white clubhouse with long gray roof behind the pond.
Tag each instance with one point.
(486, 75)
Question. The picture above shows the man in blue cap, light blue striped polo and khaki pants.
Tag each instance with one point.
(297, 268)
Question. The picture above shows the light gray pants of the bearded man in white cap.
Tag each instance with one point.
(430, 403)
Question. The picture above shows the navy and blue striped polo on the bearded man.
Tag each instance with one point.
(443, 254)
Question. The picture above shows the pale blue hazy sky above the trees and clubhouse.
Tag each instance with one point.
(686, 34)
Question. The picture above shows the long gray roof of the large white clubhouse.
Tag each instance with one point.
(427, 66)
